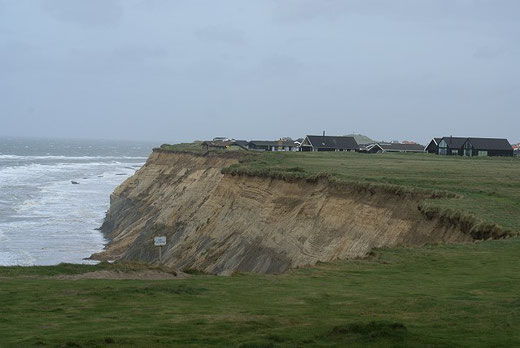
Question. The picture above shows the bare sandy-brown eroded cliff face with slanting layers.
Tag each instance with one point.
(219, 223)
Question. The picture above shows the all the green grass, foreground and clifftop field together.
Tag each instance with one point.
(445, 295)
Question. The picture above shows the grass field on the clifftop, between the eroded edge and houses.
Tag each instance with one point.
(489, 187)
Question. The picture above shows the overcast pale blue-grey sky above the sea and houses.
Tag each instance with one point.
(183, 70)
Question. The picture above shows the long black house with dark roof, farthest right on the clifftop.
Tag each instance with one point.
(474, 146)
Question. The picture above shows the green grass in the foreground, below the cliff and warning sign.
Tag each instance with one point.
(449, 295)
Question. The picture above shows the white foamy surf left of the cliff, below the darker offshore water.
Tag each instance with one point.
(53, 220)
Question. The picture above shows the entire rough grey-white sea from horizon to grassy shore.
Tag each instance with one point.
(54, 194)
